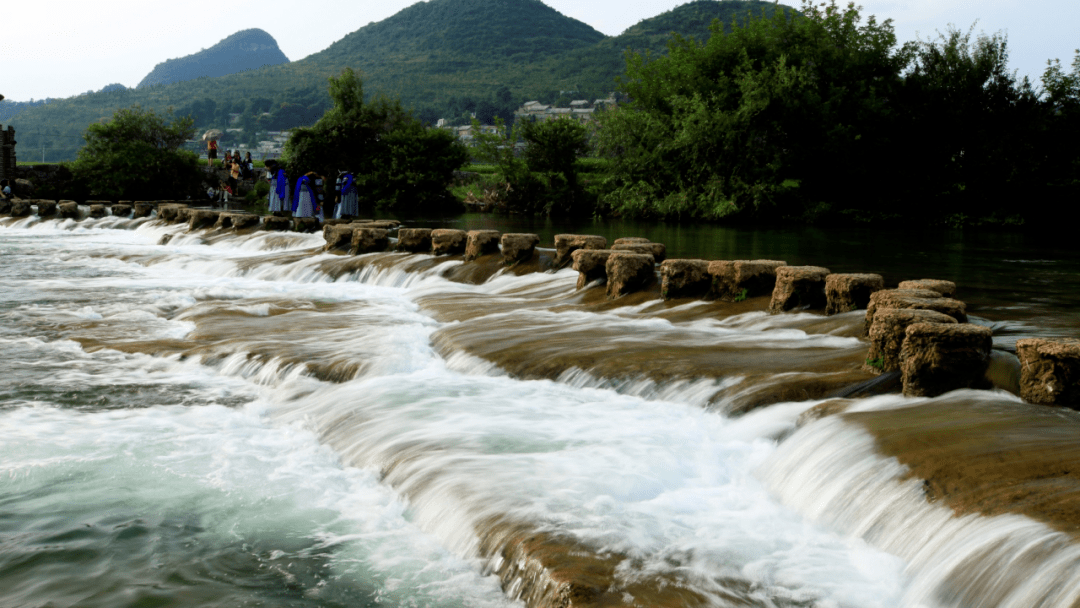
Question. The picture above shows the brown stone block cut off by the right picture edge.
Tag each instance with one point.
(1050, 371)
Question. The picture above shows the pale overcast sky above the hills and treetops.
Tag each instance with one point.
(64, 48)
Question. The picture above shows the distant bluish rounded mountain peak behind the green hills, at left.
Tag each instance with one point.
(247, 50)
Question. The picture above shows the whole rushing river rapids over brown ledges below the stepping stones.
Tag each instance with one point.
(215, 420)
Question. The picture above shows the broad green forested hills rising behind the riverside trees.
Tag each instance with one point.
(441, 58)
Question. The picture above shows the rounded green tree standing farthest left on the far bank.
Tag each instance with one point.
(138, 156)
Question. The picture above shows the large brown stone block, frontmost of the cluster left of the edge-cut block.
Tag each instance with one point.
(939, 358)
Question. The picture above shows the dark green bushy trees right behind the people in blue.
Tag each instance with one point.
(400, 164)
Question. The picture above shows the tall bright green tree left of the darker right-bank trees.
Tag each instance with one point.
(740, 125)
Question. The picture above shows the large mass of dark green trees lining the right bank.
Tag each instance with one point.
(823, 115)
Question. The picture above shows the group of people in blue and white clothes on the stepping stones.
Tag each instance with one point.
(308, 198)
